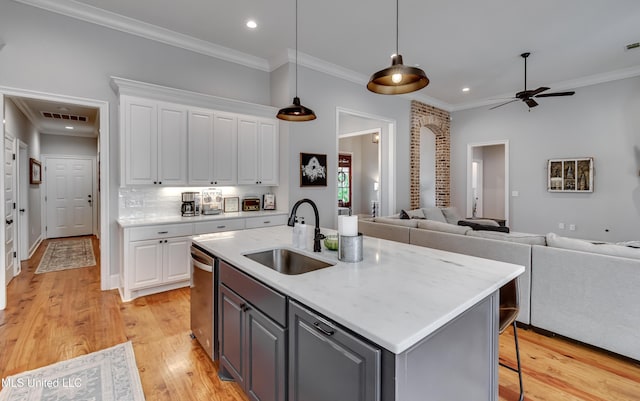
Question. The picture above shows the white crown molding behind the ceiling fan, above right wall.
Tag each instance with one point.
(559, 86)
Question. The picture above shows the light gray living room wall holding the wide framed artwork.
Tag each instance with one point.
(602, 121)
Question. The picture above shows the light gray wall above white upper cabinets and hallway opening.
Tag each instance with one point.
(49, 53)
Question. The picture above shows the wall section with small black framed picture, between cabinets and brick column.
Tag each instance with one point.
(324, 94)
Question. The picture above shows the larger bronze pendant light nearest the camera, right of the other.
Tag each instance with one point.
(398, 78)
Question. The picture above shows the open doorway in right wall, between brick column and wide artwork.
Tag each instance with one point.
(488, 180)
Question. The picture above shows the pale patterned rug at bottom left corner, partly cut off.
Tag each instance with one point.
(110, 374)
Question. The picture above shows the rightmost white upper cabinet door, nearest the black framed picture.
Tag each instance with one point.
(268, 147)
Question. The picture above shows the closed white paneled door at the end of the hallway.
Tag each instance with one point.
(69, 199)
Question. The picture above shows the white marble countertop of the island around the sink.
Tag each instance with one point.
(398, 294)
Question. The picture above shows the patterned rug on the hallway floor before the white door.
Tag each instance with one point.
(67, 254)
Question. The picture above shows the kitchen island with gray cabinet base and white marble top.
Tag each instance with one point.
(407, 323)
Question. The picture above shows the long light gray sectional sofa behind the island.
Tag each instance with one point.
(575, 288)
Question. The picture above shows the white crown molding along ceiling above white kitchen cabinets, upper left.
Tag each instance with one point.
(132, 26)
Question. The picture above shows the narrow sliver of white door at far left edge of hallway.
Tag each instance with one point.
(9, 208)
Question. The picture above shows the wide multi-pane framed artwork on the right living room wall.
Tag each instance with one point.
(570, 175)
